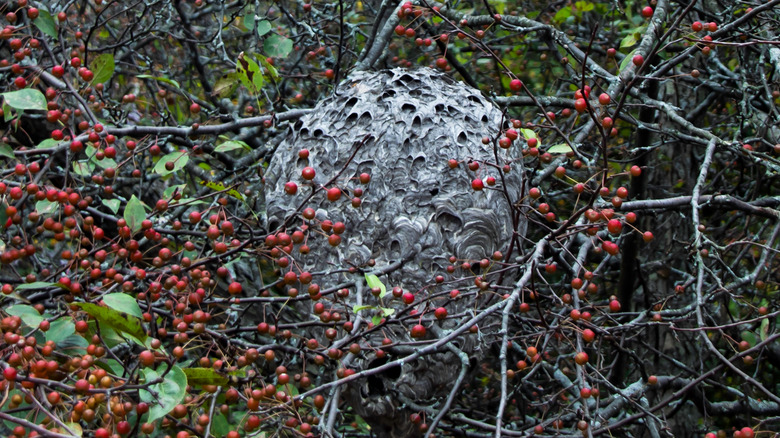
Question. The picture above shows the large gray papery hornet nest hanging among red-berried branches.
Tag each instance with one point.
(405, 125)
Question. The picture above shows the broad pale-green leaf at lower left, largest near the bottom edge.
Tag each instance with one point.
(163, 396)
